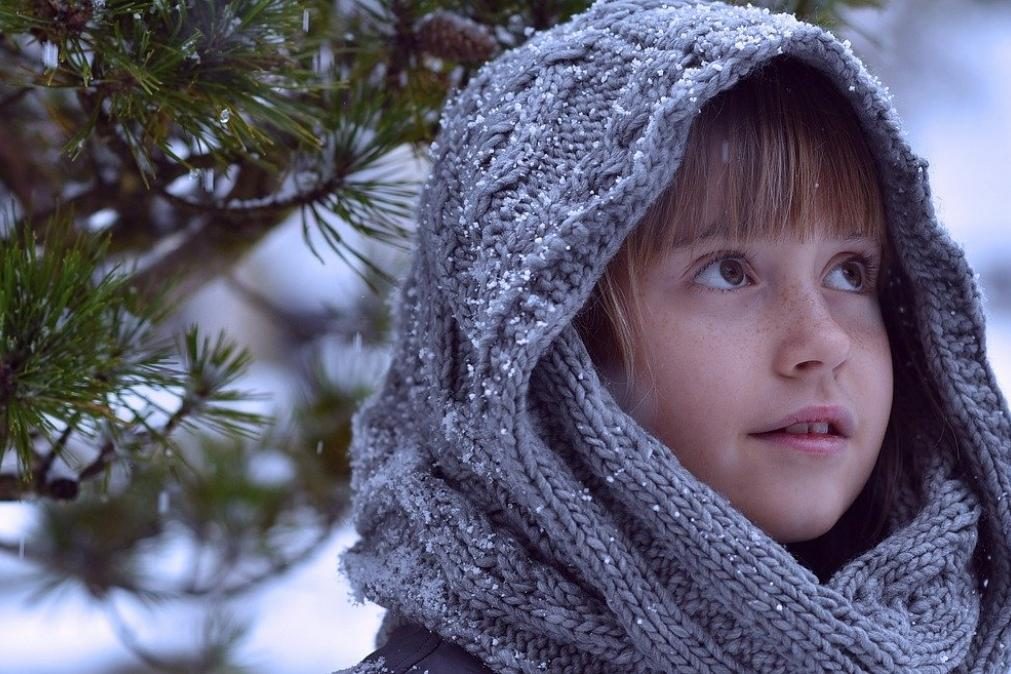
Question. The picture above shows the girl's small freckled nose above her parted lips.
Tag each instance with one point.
(811, 341)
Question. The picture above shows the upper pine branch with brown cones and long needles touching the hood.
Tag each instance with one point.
(157, 84)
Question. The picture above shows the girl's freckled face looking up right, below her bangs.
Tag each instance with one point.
(747, 341)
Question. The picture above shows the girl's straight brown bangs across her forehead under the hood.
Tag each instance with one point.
(781, 155)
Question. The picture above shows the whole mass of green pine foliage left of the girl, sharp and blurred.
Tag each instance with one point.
(148, 146)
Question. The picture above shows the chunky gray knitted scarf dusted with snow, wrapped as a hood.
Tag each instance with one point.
(507, 503)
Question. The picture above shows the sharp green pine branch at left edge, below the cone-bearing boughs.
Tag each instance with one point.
(71, 348)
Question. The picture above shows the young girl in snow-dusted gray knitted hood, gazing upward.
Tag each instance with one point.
(687, 377)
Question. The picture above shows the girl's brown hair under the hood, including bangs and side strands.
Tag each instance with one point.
(780, 154)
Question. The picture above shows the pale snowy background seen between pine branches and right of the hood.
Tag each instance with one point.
(949, 65)
